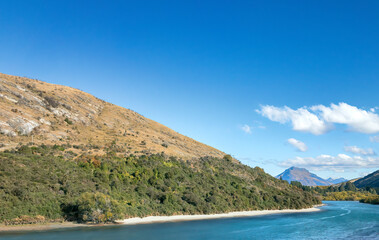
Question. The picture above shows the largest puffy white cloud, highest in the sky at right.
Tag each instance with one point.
(319, 119)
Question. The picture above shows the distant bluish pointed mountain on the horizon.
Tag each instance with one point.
(306, 178)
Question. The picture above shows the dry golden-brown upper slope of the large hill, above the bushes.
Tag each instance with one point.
(33, 110)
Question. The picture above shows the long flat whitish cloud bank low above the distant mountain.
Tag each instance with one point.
(337, 163)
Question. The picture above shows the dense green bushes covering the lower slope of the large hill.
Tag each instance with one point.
(46, 182)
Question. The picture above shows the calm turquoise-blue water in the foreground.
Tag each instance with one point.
(337, 220)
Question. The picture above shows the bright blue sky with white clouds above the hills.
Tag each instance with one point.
(209, 68)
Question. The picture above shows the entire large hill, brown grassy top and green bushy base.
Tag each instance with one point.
(67, 155)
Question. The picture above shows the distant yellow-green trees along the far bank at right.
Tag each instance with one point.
(342, 192)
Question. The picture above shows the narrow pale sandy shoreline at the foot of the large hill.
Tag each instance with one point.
(154, 219)
